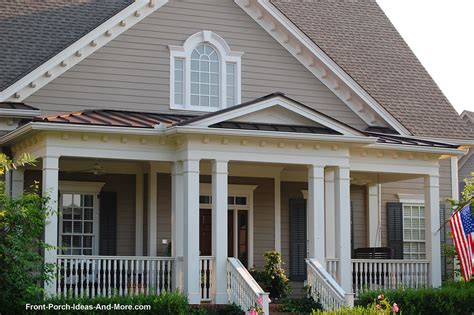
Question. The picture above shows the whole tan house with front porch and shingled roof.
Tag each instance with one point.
(181, 140)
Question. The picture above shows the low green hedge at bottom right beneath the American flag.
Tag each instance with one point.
(452, 298)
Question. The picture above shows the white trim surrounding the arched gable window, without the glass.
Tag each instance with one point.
(226, 55)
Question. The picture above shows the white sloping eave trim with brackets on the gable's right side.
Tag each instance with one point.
(291, 35)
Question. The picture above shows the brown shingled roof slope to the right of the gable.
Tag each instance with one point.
(360, 38)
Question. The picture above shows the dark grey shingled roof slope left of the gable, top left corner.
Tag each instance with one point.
(34, 31)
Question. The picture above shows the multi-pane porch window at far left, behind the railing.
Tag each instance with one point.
(79, 219)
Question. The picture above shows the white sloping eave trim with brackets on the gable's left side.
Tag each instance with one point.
(69, 57)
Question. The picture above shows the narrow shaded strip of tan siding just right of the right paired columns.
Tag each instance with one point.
(359, 216)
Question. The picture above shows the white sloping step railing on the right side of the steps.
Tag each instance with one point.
(323, 287)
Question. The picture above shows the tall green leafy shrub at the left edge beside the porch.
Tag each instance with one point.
(22, 270)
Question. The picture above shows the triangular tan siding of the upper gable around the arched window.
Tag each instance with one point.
(132, 71)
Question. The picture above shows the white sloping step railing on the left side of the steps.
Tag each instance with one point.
(243, 290)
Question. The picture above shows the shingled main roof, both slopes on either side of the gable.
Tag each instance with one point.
(370, 50)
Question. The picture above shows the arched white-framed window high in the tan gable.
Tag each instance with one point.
(205, 74)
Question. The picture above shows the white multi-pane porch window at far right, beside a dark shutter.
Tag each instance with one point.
(414, 246)
